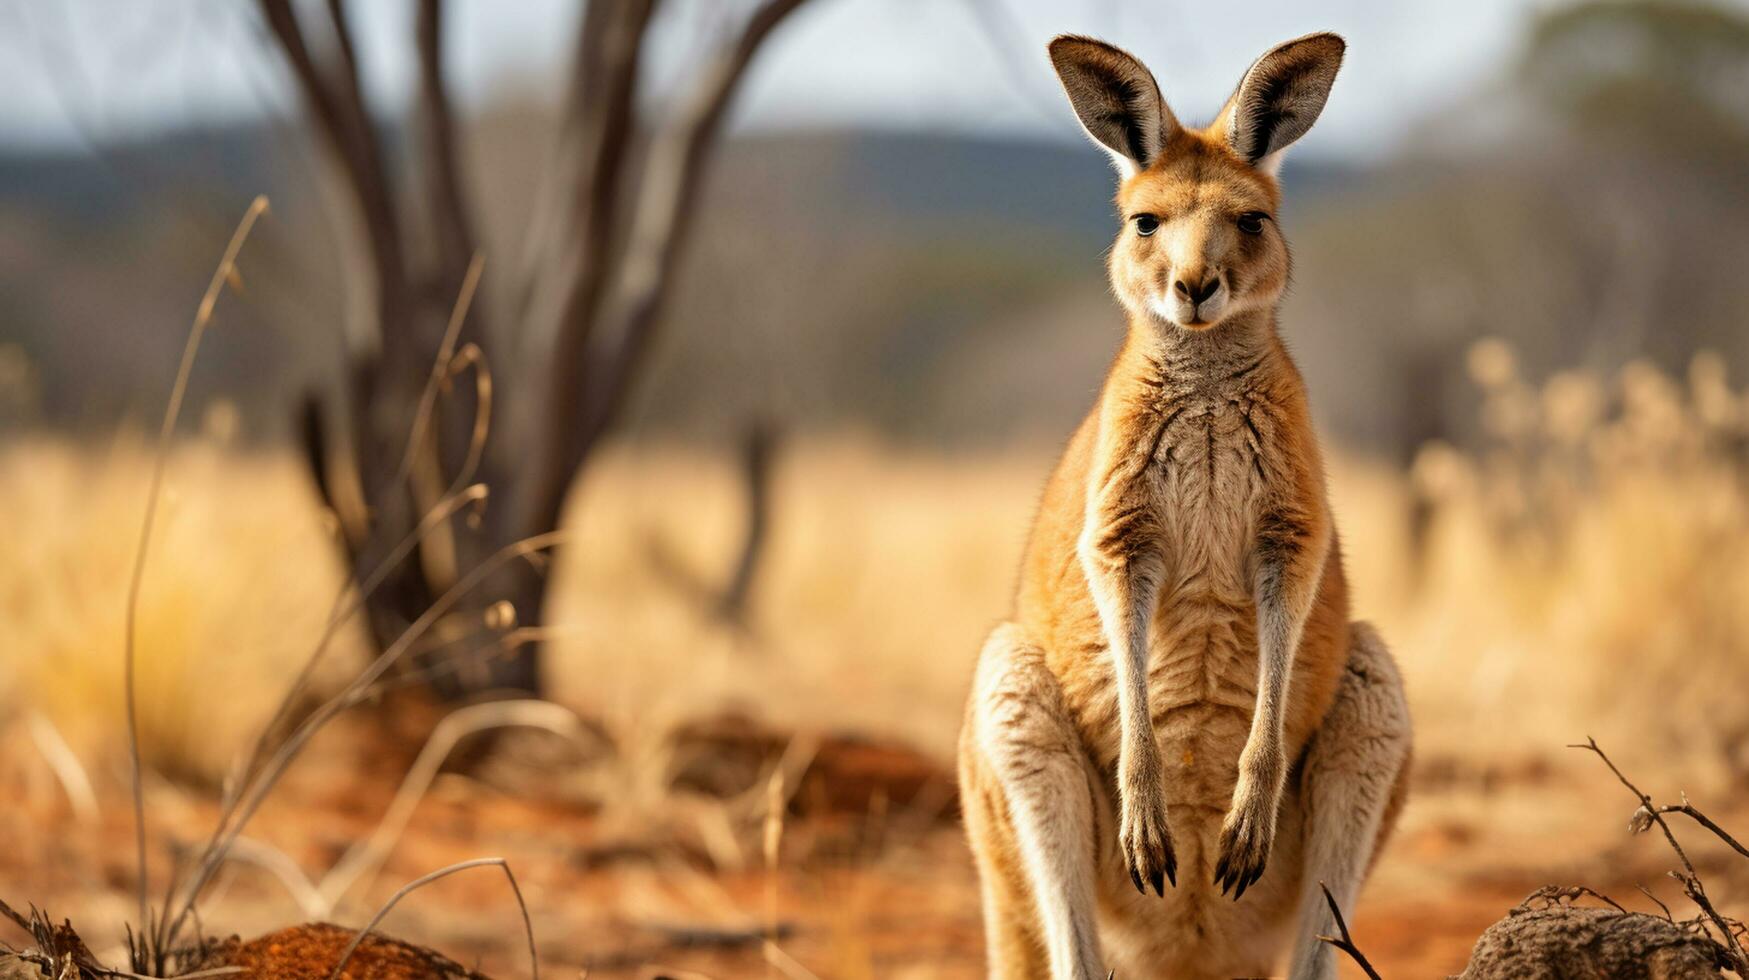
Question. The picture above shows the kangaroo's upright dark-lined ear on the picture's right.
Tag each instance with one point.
(1279, 99)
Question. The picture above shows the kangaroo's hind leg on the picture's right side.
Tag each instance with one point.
(1353, 785)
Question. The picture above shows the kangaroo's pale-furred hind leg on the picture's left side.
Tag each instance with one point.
(1029, 815)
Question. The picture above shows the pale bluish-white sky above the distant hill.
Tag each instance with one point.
(136, 66)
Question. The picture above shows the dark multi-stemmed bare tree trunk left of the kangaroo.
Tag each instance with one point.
(613, 269)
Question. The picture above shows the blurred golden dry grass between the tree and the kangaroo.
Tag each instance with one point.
(882, 577)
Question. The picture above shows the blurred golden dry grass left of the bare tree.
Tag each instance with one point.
(237, 591)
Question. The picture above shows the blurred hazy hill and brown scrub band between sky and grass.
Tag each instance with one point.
(930, 288)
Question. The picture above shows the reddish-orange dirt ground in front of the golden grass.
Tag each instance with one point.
(874, 876)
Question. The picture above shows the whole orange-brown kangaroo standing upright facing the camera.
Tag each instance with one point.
(1178, 708)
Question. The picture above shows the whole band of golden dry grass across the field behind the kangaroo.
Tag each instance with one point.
(1578, 575)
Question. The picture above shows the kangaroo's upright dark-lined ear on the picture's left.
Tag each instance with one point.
(1117, 99)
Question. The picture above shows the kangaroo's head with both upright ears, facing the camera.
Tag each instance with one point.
(1199, 242)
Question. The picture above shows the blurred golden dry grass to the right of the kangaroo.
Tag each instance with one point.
(1584, 571)
